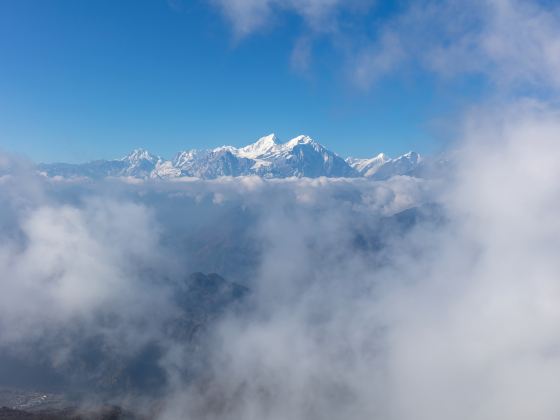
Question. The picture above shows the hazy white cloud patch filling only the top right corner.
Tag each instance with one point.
(513, 43)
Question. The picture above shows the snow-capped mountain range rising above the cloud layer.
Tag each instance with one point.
(267, 157)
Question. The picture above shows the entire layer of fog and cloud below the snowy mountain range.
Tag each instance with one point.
(406, 298)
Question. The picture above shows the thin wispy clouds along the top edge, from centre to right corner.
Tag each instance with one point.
(514, 44)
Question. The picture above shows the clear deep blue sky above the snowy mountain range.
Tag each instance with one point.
(82, 80)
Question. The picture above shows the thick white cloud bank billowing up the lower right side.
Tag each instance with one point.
(456, 317)
